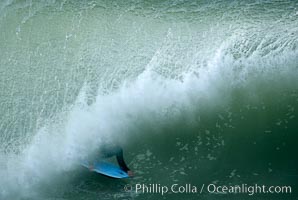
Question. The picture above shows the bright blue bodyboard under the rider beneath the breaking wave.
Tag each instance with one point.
(107, 169)
